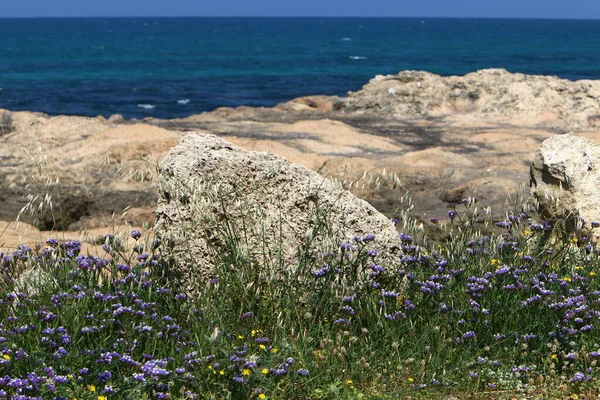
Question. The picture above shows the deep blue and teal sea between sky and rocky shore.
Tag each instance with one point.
(174, 67)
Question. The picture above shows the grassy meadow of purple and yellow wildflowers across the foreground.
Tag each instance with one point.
(513, 313)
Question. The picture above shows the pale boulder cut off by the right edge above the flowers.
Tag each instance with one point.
(565, 180)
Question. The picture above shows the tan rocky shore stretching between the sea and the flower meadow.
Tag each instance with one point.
(445, 138)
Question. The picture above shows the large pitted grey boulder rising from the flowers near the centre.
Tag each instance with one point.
(212, 193)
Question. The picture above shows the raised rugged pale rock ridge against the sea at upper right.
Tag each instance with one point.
(491, 93)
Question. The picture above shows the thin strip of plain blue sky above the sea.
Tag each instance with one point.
(580, 9)
